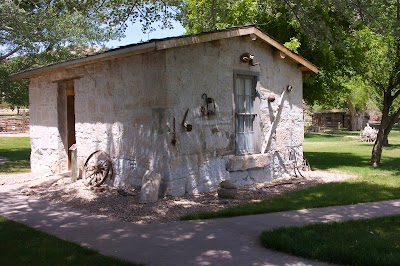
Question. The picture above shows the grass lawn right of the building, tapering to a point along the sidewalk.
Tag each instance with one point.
(331, 153)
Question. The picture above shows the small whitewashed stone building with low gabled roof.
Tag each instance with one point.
(196, 109)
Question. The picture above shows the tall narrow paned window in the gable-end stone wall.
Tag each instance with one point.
(245, 95)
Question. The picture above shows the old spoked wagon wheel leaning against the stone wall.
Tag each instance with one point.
(97, 168)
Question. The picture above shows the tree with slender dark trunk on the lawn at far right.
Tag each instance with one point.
(372, 28)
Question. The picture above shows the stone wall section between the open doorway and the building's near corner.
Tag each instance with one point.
(121, 108)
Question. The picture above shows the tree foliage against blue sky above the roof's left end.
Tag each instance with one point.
(41, 26)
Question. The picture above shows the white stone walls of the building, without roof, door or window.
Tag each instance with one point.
(127, 106)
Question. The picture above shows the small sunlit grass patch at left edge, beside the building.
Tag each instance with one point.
(17, 151)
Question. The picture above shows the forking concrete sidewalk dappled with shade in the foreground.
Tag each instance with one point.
(229, 241)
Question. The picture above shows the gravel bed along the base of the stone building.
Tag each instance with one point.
(123, 205)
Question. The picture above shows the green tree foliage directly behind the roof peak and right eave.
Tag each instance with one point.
(286, 25)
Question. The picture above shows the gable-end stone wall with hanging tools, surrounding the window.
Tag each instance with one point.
(199, 160)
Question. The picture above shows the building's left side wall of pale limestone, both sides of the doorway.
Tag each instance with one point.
(120, 107)
